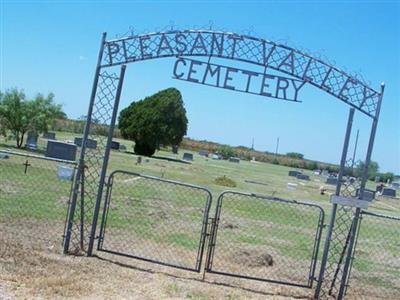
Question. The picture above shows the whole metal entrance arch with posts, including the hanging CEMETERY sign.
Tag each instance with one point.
(283, 73)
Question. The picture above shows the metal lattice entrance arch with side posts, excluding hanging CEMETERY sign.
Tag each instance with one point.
(83, 214)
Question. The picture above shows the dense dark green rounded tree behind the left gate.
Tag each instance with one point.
(158, 119)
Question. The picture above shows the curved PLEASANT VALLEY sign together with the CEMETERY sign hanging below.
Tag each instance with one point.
(269, 55)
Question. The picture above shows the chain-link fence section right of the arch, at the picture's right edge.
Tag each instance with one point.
(375, 269)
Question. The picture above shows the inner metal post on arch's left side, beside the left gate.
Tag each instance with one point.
(105, 161)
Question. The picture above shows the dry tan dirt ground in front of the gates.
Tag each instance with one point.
(45, 274)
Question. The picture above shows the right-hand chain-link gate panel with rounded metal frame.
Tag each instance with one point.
(265, 238)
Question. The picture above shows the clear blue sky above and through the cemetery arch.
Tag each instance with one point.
(52, 46)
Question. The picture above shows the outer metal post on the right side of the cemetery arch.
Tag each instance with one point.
(361, 195)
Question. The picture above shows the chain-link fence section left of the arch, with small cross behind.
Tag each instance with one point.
(34, 197)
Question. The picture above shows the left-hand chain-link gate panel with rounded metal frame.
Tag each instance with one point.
(155, 220)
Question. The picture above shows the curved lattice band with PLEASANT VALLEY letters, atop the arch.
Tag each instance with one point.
(247, 49)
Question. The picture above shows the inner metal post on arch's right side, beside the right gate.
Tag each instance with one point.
(334, 207)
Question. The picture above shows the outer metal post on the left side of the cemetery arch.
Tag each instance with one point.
(81, 163)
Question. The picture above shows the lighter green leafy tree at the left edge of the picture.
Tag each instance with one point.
(19, 115)
